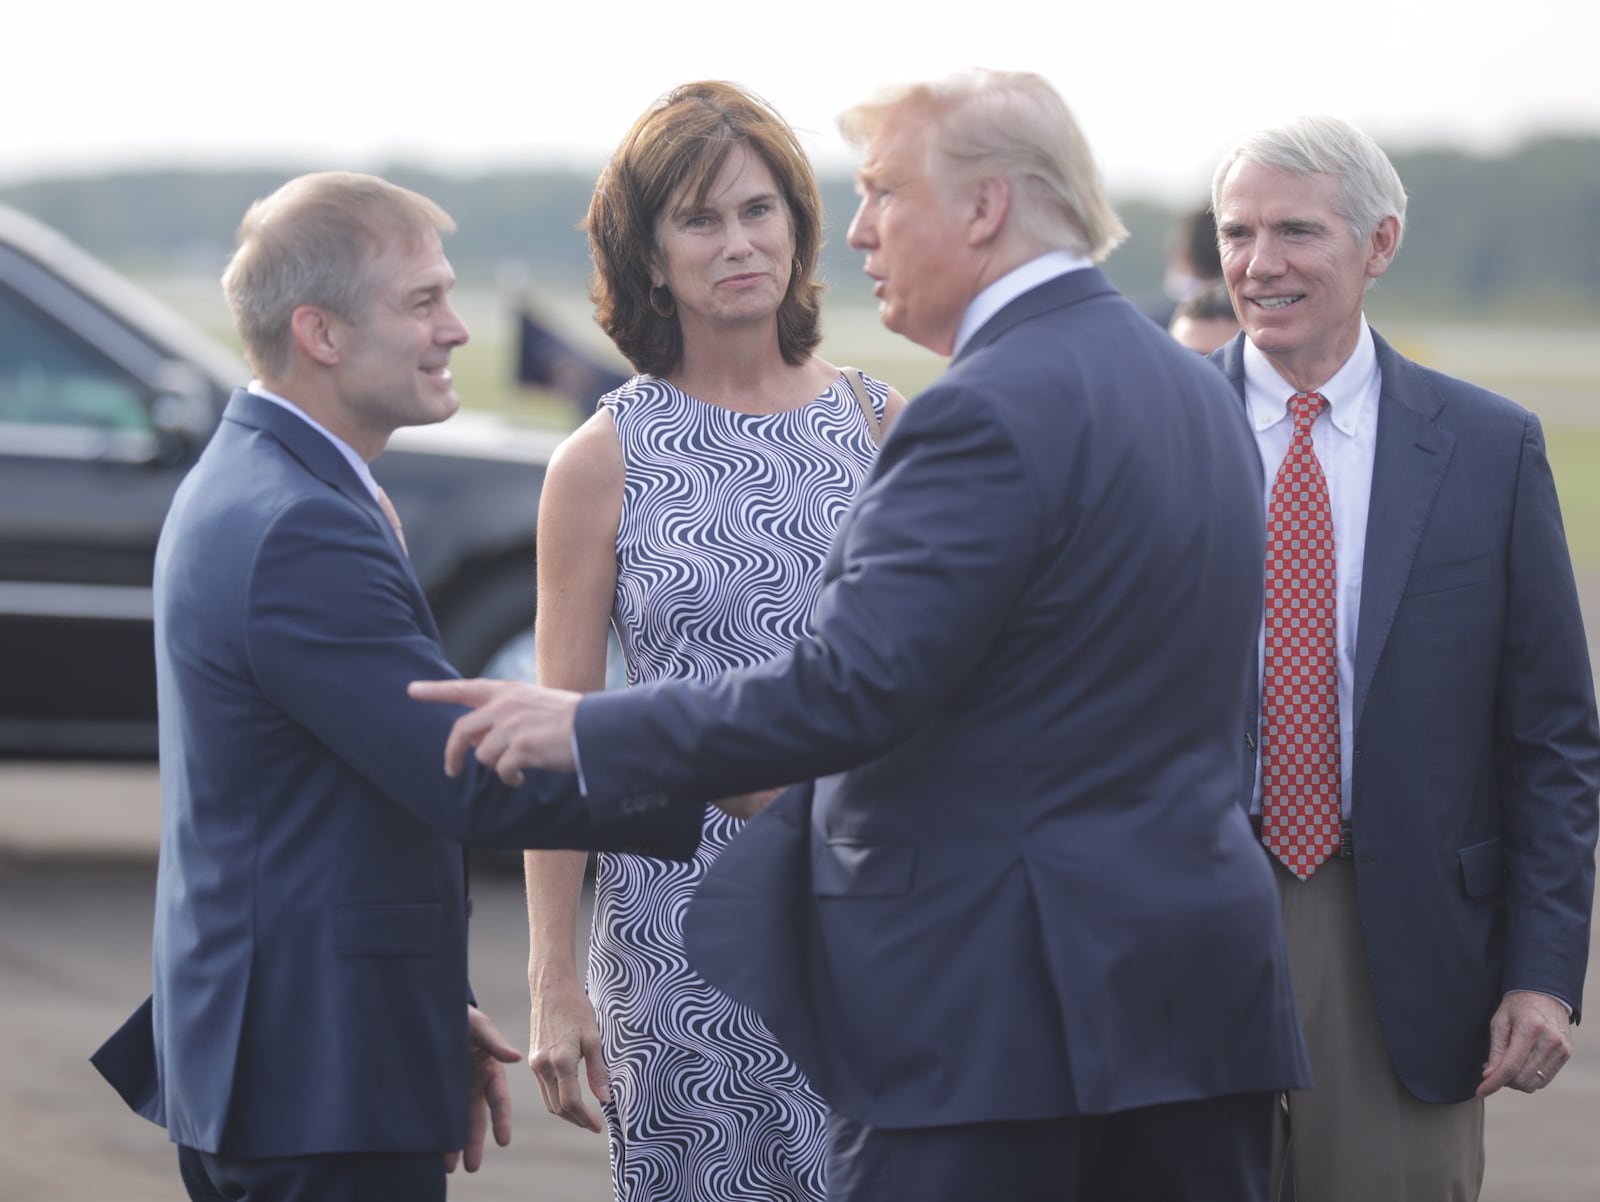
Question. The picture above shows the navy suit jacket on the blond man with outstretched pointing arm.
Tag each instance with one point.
(1031, 892)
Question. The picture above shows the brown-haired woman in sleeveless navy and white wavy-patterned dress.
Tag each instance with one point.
(694, 511)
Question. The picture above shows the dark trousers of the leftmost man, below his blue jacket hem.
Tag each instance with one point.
(314, 1179)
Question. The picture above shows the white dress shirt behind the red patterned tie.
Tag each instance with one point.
(1345, 438)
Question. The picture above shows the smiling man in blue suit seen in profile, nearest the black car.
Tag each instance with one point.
(311, 1033)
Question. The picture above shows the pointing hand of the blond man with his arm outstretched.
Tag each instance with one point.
(511, 727)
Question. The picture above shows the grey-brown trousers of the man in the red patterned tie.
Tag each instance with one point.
(1359, 1136)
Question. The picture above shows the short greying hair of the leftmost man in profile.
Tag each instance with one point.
(313, 242)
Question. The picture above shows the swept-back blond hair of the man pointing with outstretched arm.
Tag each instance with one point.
(1017, 127)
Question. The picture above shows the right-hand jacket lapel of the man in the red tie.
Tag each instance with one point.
(1409, 468)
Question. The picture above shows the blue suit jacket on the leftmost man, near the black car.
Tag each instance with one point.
(311, 942)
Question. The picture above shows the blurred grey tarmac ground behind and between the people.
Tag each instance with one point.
(78, 854)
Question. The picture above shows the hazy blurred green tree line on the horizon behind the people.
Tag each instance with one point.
(1505, 238)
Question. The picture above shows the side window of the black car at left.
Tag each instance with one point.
(49, 377)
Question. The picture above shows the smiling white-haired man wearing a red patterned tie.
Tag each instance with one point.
(1438, 868)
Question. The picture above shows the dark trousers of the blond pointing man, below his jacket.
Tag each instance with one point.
(1215, 1150)
